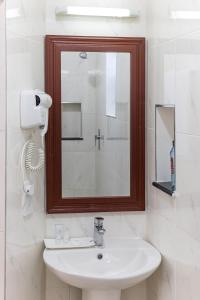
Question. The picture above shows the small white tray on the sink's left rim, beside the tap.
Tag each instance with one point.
(83, 242)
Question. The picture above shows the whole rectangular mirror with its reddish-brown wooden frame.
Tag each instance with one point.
(95, 142)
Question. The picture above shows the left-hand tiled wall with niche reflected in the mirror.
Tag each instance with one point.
(81, 180)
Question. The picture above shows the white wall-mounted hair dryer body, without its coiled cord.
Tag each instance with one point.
(34, 110)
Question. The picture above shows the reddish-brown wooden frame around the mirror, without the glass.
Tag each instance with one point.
(136, 200)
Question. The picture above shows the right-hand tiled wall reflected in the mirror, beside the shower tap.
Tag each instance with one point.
(112, 161)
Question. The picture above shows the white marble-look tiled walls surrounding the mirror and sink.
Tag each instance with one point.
(173, 77)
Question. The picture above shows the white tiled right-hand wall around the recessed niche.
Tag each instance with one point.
(174, 77)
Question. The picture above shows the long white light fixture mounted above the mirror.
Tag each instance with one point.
(96, 12)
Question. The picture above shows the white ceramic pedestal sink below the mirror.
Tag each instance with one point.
(102, 273)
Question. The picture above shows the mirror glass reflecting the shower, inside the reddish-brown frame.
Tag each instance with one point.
(95, 113)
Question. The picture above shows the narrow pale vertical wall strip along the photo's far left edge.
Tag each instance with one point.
(2, 147)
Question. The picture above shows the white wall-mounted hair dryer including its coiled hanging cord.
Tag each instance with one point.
(34, 110)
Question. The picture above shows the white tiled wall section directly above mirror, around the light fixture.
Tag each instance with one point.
(94, 26)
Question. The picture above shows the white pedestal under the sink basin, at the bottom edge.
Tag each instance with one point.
(101, 295)
